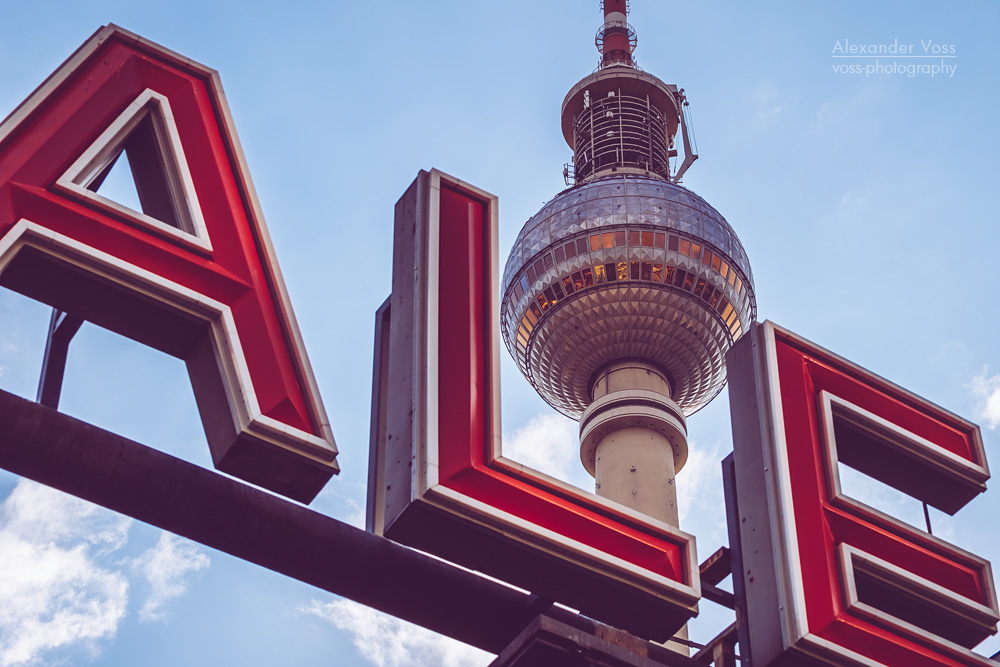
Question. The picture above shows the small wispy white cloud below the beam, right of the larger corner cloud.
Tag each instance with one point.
(166, 567)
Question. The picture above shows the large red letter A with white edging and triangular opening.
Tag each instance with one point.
(192, 274)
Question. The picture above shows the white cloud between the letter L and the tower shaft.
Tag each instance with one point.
(549, 443)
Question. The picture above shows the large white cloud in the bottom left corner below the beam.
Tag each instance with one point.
(53, 593)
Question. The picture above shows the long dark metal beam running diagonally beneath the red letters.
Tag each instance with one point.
(47, 446)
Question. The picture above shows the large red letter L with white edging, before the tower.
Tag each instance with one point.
(447, 488)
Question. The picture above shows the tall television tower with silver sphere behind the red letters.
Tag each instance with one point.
(622, 294)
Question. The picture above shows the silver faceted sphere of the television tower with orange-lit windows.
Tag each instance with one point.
(625, 266)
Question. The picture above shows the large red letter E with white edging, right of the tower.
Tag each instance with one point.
(851, 585)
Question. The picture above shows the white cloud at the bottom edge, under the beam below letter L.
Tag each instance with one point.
(385, 641)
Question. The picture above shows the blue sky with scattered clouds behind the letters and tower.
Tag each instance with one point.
(865, 203)
